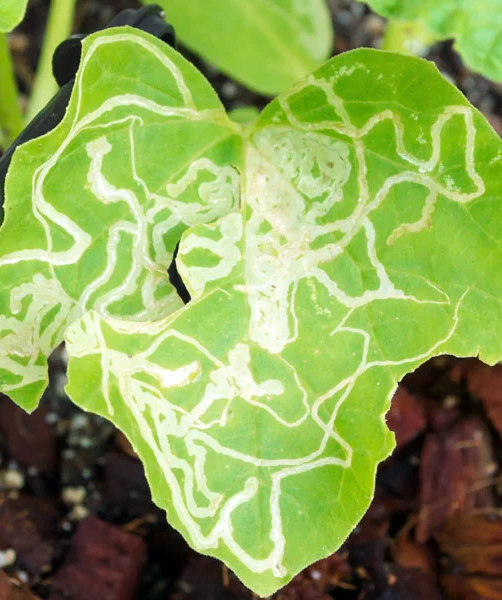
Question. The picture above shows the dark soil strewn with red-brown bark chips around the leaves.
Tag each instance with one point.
(76, 518)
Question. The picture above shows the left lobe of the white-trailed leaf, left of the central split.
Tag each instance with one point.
(94, 209)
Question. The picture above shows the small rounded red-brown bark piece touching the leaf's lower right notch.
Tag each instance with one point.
(405, 417)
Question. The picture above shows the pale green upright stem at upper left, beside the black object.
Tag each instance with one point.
(59, 27)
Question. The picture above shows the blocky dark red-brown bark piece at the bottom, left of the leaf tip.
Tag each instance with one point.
(104, 562)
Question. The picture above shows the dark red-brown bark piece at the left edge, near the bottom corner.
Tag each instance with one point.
(24, 524)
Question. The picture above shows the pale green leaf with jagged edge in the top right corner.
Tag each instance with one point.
(476, 27)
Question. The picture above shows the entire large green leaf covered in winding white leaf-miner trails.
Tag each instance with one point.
(348, 235)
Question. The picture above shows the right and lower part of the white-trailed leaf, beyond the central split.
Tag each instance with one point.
(367, 241)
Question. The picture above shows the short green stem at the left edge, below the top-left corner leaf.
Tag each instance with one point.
(11, 118)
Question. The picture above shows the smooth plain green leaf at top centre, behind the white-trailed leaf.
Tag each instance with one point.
(268, 45)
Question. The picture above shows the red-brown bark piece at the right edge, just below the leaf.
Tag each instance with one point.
(486, 383)
